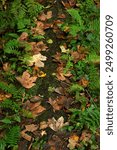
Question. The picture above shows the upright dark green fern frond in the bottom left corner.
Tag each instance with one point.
(12, 136)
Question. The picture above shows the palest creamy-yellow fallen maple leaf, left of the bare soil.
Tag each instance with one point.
(37, 60)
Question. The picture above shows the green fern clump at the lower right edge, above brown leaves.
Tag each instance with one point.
(86, 119)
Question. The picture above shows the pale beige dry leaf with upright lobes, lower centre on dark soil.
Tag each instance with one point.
(57, 124)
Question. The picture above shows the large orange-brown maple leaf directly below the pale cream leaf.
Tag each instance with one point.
(27, 81)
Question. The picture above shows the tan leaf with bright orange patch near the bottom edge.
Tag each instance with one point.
(73, 141)
